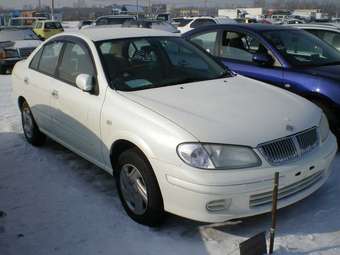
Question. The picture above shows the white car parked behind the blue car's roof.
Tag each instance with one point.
(189, 23)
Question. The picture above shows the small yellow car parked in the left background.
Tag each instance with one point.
(44, 29)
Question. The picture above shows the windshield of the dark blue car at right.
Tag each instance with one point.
(302, 49)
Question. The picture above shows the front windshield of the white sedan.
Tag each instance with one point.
(144, 63)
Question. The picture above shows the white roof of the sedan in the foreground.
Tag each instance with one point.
(107, 33)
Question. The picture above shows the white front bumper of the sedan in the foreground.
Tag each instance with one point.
(187, 191)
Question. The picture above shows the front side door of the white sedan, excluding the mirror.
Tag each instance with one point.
(76, 115)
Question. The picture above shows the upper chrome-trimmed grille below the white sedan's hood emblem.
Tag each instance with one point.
(290, 148)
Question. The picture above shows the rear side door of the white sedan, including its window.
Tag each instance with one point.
(39, 82)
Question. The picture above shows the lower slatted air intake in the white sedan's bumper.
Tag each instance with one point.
(285, 192)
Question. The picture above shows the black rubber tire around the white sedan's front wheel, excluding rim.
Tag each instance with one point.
(154, 214)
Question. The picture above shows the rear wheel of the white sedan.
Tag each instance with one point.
(31, 130)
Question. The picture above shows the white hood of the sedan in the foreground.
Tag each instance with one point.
(236, 110)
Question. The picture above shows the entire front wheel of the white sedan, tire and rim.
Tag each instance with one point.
(138, 189)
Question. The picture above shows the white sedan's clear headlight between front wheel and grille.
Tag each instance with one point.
(216, 156)
